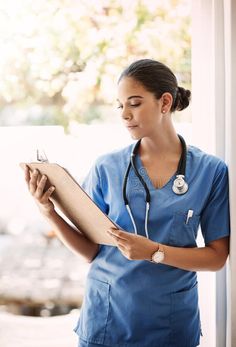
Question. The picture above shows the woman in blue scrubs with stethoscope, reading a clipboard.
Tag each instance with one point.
(144, 291)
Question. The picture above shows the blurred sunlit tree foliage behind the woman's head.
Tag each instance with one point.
(60, 59)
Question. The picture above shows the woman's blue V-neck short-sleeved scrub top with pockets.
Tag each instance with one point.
(136, 303)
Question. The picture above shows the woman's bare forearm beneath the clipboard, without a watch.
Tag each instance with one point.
(72, 238)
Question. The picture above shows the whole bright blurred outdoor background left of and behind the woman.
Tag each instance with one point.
(59, 66)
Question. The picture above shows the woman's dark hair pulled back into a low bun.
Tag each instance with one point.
(158, 79)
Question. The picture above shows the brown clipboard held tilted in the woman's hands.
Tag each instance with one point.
(75, 203)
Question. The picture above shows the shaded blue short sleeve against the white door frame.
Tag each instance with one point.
(215, 218)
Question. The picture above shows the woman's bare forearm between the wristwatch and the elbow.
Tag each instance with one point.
(194, 259)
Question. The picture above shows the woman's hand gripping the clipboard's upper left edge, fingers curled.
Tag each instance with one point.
(36, 184)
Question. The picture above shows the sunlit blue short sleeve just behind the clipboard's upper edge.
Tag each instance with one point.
(92, 186)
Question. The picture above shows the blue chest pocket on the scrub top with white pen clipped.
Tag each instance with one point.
(182, 234)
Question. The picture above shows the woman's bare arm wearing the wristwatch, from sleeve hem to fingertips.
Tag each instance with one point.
(137, 247)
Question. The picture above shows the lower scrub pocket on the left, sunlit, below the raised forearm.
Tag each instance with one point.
(93, 317)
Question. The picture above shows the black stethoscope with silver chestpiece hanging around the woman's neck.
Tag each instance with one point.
(179, 185)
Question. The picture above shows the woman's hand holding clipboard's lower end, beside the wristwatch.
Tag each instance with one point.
(132, 246)
